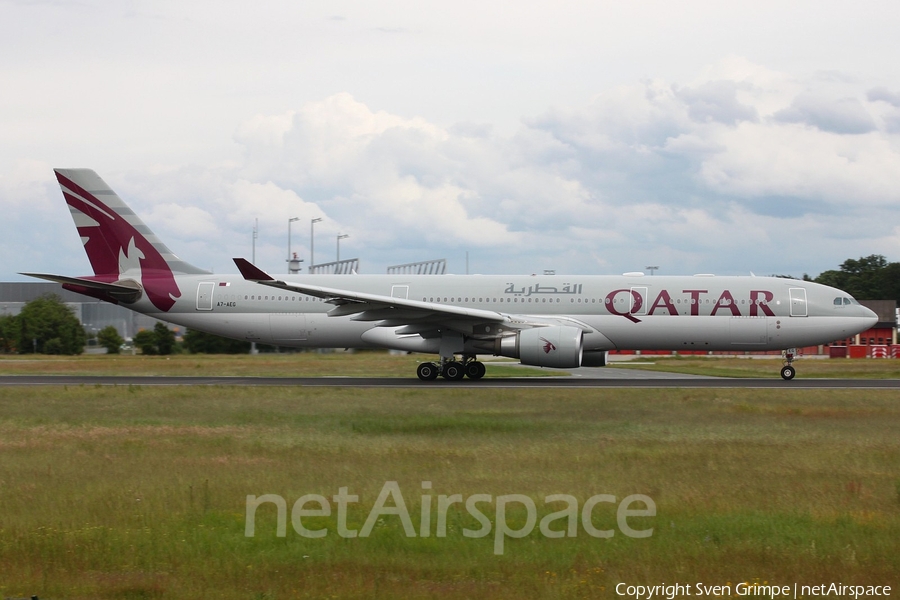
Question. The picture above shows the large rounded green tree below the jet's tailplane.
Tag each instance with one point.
(47, 325)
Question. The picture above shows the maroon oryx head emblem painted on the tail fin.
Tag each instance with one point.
(114, 246)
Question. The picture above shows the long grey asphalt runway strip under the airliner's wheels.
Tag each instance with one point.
(608, 379)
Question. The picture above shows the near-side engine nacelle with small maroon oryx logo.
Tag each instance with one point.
(557, 346)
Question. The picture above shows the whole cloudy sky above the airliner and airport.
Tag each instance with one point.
(586, 137)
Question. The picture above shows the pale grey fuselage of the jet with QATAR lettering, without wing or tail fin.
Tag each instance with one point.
(621, 312)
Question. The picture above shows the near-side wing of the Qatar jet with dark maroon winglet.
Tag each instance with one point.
(424, 318)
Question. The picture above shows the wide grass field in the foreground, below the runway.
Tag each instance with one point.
(140, 492)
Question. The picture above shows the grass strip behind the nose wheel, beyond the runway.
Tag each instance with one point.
(842, 368)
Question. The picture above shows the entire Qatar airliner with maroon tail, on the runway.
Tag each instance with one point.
(548, 321)
